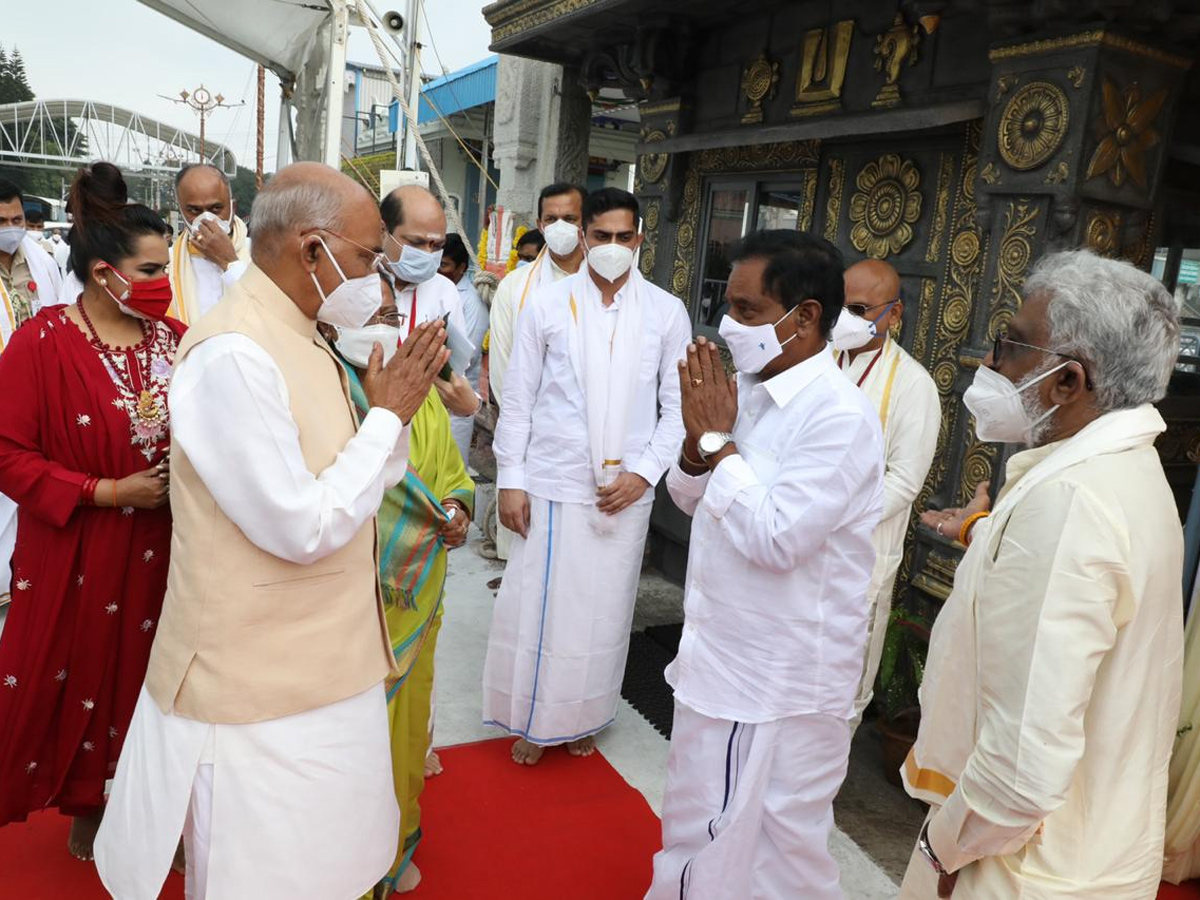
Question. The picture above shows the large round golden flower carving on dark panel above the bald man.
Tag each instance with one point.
(886, 206)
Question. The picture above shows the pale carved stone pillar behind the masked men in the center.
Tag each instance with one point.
(543, 125)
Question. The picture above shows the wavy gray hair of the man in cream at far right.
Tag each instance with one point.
(1119, 320)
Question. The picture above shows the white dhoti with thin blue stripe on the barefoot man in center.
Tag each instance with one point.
(560, 637)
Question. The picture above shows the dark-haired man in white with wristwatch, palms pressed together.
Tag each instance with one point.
(782, 472)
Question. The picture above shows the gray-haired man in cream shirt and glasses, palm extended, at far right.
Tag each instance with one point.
(1052, 692)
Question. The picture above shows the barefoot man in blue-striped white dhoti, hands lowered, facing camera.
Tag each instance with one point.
(590, 423)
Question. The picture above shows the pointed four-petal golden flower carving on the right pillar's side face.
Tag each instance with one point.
(1126, 133)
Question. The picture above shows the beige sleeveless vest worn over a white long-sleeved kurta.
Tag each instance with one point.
(247, 637)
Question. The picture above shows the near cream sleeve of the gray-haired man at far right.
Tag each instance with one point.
(1051, 607)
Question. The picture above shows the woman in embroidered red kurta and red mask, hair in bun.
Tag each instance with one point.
(83, 452)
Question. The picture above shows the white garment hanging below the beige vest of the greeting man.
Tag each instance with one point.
(299, 807)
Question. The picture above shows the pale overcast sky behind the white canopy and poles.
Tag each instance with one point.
(130, 56)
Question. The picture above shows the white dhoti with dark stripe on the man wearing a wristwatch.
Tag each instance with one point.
(748, 809)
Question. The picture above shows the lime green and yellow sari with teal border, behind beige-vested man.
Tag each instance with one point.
(413, 573)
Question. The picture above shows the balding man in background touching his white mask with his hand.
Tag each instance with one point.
(213, 250)
